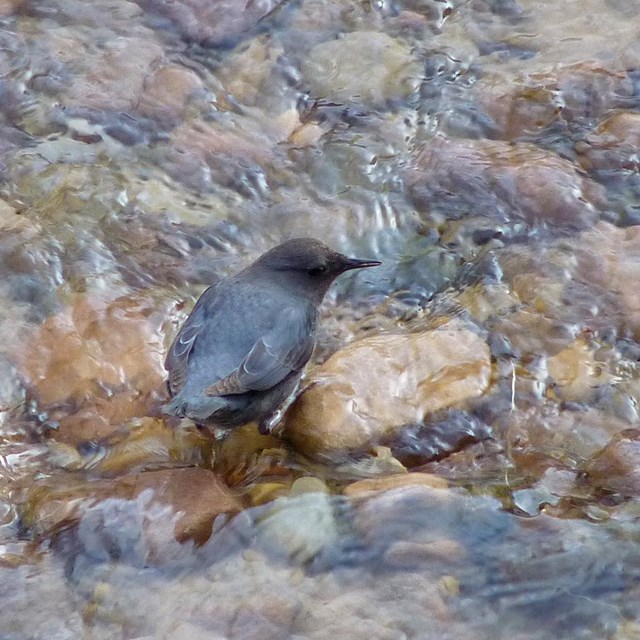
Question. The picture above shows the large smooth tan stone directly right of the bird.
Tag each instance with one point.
(374, 386)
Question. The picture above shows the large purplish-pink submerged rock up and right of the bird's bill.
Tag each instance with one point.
(503, 182)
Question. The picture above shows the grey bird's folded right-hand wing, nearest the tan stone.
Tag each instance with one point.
(282, 351)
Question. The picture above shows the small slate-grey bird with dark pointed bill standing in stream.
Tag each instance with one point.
(240, 354)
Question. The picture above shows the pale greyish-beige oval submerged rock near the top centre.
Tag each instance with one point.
(362, 67)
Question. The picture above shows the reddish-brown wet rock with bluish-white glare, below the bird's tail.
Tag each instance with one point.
(108, 514)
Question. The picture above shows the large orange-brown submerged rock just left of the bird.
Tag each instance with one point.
(104, 358)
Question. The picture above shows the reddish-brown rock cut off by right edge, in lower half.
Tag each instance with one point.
(616, 467)
